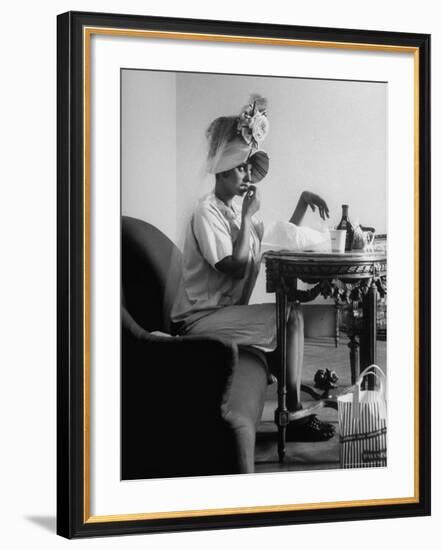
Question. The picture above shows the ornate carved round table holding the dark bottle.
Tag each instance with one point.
(349, 276)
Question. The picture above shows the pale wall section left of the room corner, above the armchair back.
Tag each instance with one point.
(148, 147)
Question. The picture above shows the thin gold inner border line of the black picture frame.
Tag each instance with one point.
(87, 33)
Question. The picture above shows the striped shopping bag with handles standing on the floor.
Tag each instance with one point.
(362, 416)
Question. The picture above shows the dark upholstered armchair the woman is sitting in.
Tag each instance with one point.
(190, 405)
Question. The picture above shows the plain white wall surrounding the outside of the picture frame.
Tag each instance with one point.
(27, 280)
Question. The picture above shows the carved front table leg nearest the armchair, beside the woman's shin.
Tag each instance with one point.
(281, 413)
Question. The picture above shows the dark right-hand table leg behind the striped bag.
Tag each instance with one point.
(368, 336)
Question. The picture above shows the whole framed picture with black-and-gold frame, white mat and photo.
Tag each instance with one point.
(233, 201)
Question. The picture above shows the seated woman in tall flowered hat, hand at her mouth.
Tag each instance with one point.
(222, 256)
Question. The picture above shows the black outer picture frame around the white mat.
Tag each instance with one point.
(73, 519)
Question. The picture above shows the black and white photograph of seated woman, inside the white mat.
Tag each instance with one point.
(253, 274)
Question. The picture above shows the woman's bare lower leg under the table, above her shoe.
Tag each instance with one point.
(295, 356)
